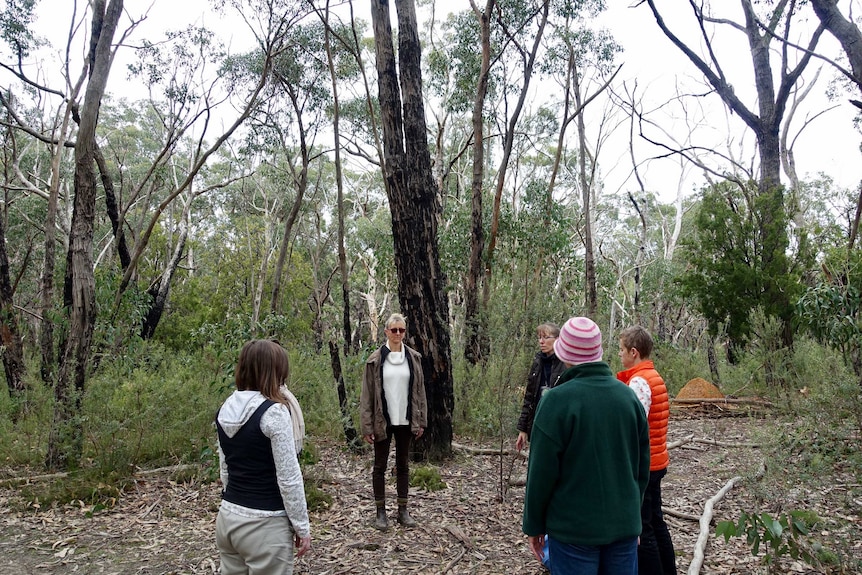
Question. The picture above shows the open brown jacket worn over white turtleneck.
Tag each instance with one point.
(374, 419)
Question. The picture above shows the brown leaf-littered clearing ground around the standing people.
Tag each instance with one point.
(161, 527)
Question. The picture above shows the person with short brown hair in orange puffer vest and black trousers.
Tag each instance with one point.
(655, 551)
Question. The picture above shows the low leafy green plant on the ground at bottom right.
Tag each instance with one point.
(783, 535)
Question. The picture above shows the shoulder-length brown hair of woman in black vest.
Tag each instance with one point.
(263, 366)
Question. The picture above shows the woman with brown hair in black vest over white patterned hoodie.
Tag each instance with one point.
(263, 517)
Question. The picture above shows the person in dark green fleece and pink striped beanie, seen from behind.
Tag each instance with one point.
(589, 463)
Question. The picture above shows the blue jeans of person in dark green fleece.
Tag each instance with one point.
(617, 558)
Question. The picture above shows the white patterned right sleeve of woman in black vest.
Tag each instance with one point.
(276, 425)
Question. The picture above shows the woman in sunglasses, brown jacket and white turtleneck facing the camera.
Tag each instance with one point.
(393, 405)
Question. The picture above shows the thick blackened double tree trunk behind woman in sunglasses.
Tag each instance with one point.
(415, 211)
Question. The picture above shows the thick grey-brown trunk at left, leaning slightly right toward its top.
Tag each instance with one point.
(65, 442)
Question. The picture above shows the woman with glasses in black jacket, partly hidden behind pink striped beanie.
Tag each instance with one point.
(544, 374)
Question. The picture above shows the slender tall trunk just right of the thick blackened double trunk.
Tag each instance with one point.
(472, 323)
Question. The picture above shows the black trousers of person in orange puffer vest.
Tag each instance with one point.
(655, 552)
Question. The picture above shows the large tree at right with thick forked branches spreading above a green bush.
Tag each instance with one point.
(761, 31)
